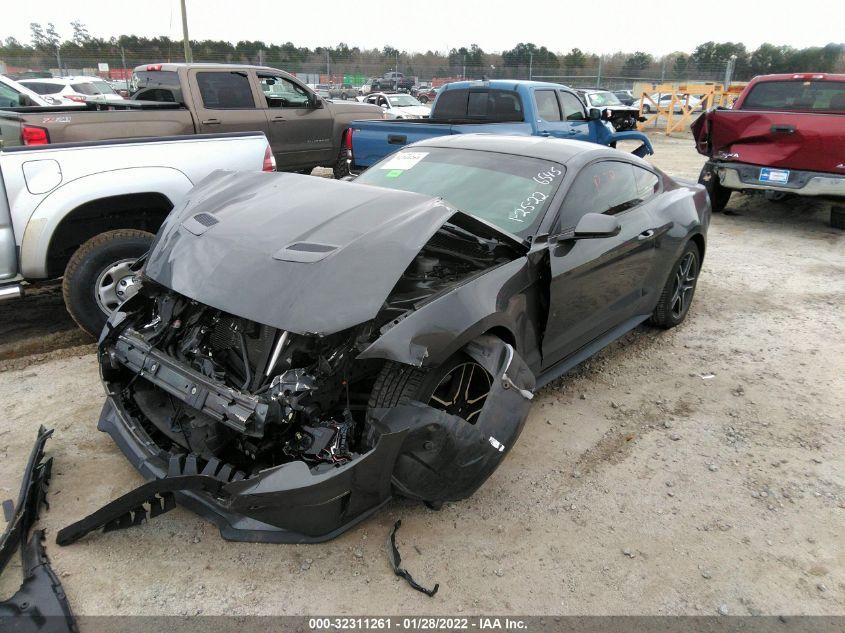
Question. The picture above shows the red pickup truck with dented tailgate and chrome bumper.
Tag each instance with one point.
(784, 135)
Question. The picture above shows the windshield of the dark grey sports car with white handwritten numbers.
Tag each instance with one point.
(511, 192)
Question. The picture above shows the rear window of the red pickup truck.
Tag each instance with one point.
(802, 96)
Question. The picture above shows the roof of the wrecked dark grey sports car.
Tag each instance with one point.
(556, 150)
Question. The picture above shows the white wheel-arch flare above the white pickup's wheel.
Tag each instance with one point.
(46, 217)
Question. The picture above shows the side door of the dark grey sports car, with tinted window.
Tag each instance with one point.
(599, 283)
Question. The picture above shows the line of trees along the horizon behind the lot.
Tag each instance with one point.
(48, 48)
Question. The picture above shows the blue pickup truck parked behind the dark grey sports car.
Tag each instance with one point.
(492, 107)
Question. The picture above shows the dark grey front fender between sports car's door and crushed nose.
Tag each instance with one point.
(501, 298)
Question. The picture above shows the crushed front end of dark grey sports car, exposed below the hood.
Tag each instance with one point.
(273, 419)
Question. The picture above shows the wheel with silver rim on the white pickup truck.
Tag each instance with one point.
(98, 278)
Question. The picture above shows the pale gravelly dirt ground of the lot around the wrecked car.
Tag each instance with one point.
(689, 471)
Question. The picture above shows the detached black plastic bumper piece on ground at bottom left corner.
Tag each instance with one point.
(40, 605)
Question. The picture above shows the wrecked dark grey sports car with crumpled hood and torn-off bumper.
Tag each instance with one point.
(299, 350)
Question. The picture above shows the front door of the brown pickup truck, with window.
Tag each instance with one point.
(300, 123)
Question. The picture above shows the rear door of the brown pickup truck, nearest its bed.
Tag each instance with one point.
(225, 102)
